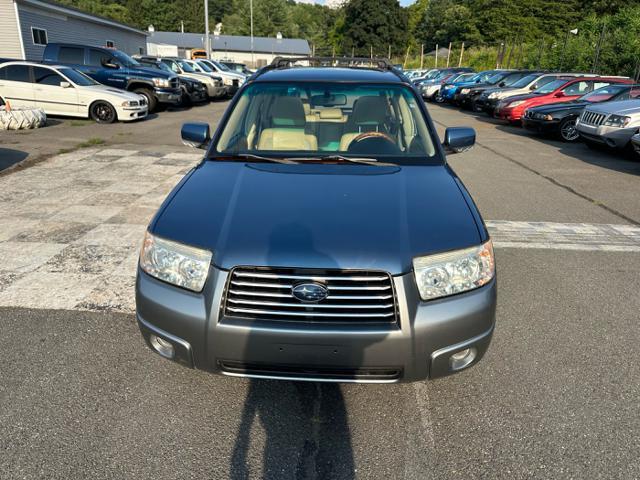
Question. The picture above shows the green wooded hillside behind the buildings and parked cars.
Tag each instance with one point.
(524, 33)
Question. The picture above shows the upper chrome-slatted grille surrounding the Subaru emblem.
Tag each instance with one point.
(353, 296)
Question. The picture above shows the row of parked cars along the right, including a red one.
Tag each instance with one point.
(599, 110)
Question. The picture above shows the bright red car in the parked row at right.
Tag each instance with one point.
(563, 89)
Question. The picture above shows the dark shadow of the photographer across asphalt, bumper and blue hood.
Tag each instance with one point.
(305, 423)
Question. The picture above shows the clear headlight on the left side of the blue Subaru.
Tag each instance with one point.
(175, 263)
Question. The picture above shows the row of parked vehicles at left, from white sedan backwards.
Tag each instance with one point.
(107, 85)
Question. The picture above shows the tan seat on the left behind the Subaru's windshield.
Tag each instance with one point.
(287, 131)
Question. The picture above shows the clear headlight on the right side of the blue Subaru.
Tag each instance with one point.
(449, 273)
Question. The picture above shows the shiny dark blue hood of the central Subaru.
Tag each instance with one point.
(319, 216)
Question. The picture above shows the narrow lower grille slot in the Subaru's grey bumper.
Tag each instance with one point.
(379, 374)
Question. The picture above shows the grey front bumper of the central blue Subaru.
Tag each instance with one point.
(417, 348)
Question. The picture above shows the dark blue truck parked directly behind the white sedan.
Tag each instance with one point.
(117, 69)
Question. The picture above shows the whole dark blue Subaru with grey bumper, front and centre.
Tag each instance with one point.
(323, 237)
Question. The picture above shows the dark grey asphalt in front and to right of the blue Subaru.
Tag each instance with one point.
(555, 396)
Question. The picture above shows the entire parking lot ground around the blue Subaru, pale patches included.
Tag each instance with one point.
(82, 396)
